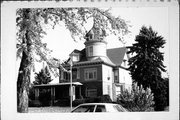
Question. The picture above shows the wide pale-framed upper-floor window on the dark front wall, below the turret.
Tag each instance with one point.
(90, 74)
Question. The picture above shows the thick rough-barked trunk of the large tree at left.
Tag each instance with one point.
(24, 78)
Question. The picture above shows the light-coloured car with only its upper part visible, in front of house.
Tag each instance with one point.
(99, 107)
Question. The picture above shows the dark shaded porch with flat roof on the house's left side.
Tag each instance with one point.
(60, 91)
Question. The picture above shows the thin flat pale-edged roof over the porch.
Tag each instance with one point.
(58, 84)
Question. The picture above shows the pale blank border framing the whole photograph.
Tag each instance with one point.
(8, 61)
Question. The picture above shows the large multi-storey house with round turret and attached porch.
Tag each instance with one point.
(96, 70)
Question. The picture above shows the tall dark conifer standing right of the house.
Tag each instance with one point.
(147, 64)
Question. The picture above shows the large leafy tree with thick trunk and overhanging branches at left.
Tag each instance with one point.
(30, 30)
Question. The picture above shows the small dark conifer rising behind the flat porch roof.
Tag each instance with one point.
(43, 77)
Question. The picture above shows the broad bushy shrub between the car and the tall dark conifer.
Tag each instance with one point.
(137, 100)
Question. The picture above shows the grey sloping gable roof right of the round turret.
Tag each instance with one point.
(116, 55)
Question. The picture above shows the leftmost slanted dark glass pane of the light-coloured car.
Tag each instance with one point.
(84, 108)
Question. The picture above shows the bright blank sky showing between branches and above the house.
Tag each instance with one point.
(60, 41)
